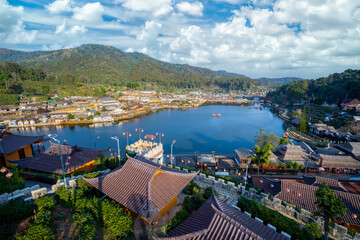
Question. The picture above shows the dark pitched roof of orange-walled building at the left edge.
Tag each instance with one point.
(11, 142)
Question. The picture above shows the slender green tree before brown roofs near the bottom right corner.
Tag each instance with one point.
(330, 206)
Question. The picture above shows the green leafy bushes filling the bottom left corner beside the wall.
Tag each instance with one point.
(79, 207)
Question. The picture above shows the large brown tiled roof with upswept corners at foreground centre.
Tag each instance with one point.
(141, 184)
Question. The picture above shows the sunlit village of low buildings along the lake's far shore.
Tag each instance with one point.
(122, 105)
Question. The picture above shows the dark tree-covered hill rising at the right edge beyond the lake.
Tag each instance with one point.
(332, 89)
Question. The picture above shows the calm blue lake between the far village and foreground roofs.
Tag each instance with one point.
(194, 129)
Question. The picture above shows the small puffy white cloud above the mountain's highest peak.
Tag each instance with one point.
(89, 13)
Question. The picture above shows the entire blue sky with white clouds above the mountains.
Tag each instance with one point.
(303, 38)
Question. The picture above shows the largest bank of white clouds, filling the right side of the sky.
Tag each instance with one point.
(299, 38)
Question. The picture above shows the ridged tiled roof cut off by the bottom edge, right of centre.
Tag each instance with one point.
(217, 220)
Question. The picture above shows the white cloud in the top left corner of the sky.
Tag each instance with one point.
(12, 28)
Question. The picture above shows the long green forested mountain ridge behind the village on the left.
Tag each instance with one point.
(105, 64)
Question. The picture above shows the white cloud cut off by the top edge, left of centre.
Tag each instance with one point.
(156, 7)
